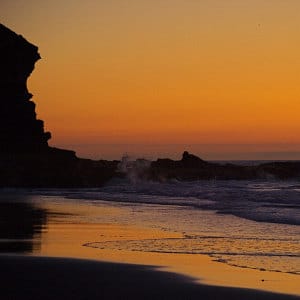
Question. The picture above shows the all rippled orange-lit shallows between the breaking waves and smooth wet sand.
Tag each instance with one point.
(228, 239)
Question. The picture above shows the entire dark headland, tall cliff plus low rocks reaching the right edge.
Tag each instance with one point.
(26, 159)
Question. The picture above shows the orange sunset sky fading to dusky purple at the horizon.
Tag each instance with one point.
(153, 78)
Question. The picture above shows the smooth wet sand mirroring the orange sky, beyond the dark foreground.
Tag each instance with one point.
(65, 237)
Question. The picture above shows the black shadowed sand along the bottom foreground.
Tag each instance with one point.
(24, 277)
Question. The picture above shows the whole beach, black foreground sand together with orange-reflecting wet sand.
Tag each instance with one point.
(54, 259)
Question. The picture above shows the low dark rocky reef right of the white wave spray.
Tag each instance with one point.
(191, 167)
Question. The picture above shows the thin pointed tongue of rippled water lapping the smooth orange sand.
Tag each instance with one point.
(263, 254)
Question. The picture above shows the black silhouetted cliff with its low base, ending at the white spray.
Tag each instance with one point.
(25, 157)
